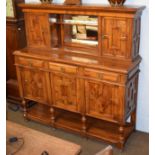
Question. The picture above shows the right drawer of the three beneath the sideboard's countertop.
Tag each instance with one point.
(102, 75)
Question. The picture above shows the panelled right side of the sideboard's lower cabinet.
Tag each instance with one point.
(131, 95)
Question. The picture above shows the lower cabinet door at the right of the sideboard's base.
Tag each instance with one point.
(102, 100)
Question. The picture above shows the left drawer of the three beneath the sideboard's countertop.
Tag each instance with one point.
(30, 62)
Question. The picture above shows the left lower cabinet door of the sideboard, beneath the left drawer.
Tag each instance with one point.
(34, 85)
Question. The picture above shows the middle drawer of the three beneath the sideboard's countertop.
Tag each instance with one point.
(63, 68)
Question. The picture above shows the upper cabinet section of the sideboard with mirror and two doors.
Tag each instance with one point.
(99, 31)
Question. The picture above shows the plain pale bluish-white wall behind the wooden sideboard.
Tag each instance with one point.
(143, 94)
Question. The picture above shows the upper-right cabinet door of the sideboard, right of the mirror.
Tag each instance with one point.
(116, 37)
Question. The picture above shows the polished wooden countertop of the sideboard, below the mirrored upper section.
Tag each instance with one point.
(123, 67)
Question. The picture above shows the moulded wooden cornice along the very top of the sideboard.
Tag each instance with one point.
(91, 7)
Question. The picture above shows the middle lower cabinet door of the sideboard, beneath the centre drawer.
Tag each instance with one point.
(65, 90)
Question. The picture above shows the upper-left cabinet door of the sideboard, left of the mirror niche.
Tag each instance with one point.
(38, 30)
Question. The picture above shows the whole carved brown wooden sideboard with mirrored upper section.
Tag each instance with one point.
(81, 67)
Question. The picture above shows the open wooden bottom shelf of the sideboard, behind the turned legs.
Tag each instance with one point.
(98, 129)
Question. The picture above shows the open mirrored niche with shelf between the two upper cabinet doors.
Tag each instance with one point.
(74, 33)
